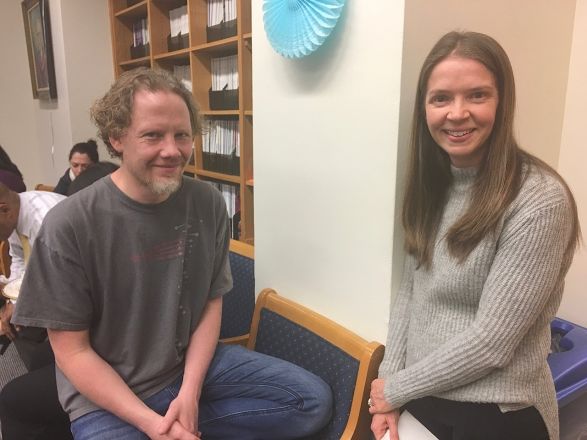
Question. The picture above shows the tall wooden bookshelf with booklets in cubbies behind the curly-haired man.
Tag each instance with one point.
(195, 52)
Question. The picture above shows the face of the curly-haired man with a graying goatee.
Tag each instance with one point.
(155, 147)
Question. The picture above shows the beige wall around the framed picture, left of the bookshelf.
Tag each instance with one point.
(38, 134)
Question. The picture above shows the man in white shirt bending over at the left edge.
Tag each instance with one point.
(21, 216)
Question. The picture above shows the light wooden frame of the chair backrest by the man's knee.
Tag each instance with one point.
(369, 354)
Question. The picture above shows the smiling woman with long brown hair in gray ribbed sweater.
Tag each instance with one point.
(490, 234)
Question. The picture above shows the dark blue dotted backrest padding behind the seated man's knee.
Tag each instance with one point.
(278, 336)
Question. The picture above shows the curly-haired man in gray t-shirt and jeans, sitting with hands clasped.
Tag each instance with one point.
(133, 270)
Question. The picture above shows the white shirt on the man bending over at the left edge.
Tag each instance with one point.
(34, 205)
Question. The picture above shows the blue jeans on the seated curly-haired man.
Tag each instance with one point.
(246, 395)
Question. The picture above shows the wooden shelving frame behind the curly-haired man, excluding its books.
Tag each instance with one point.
(198, 56)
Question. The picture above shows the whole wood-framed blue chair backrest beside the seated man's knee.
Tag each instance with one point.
(347, 362)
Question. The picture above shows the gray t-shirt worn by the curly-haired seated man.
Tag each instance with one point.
(136, 276)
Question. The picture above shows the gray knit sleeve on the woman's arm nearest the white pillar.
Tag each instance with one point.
(395, 350)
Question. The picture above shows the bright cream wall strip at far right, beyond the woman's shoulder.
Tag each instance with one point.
(572, 162)
